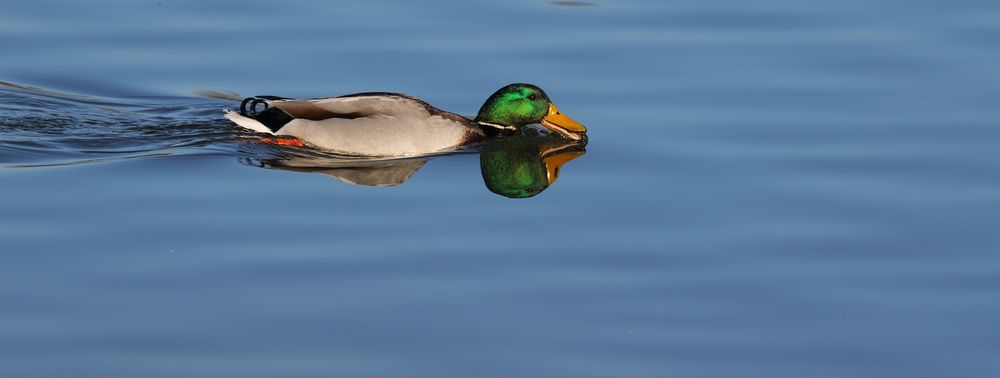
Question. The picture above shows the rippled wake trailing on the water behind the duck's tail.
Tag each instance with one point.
(41, 127)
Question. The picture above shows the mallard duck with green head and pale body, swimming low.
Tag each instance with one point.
(394, 124)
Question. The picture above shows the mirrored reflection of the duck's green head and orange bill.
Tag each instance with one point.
(522, 167)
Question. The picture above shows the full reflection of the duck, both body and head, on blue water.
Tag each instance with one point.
(515, 167)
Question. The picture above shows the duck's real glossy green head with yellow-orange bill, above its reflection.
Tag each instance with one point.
(517, 105)
